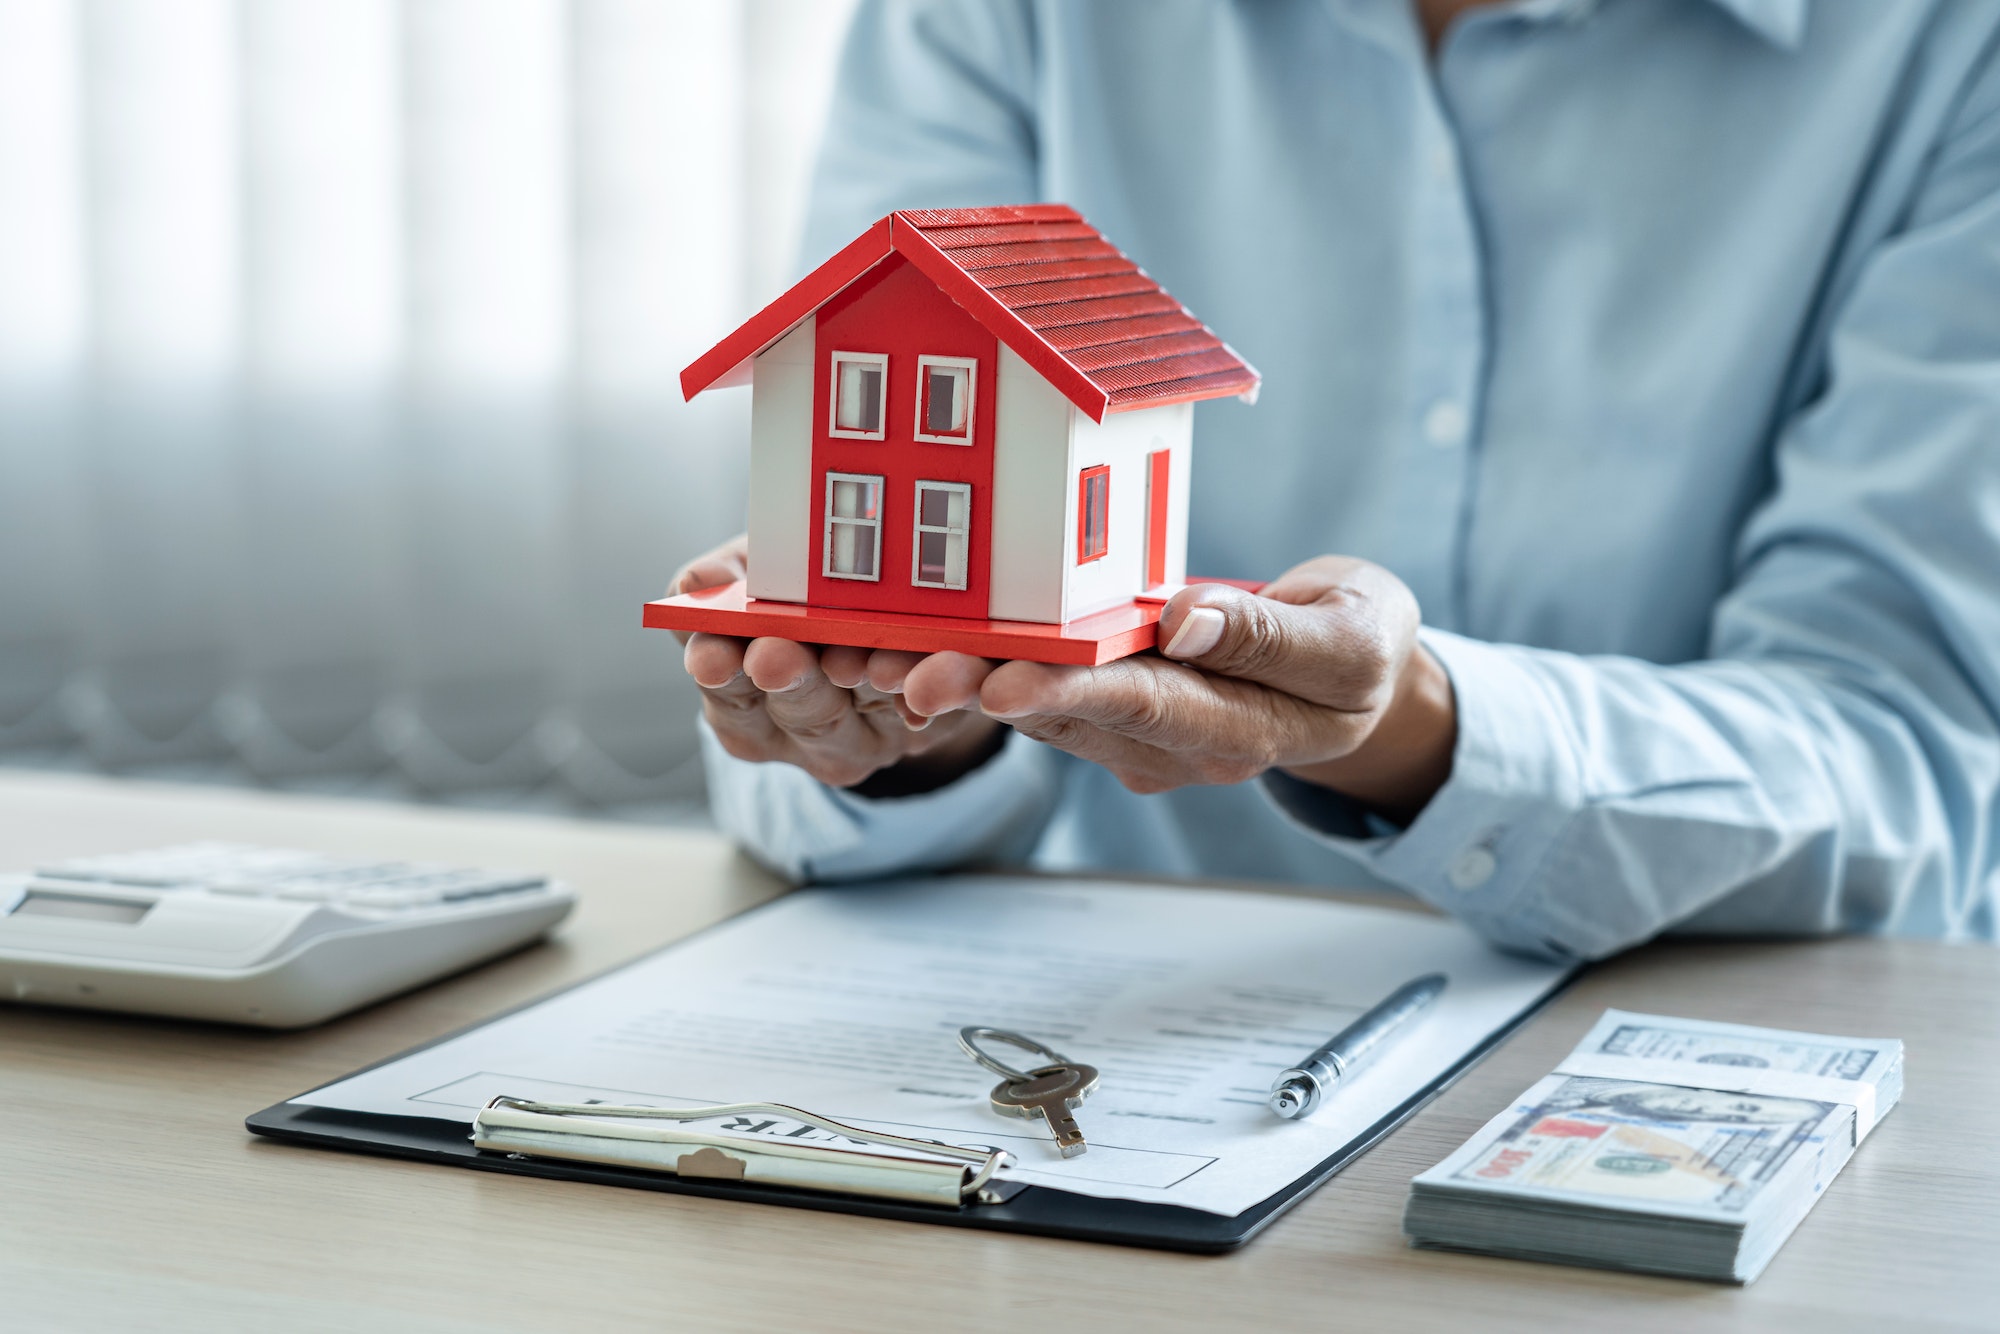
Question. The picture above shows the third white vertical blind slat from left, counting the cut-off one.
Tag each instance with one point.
(321, 455)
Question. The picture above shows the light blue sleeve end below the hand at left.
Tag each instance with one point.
(809, 831)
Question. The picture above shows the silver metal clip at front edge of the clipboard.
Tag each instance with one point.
(949, 1177)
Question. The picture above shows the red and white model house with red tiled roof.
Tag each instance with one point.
(979, 415)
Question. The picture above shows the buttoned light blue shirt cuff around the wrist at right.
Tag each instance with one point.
(1481, 843)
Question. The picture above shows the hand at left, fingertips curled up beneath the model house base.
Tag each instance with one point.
(843, 715)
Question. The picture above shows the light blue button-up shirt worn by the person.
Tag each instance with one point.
(1653, 343)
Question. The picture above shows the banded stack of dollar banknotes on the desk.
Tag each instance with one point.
(1661, 1145)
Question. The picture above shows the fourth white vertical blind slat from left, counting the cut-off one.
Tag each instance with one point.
(489, 321)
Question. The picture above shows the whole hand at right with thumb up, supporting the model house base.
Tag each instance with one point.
(1319, 675)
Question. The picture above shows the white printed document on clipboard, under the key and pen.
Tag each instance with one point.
(849, 1003)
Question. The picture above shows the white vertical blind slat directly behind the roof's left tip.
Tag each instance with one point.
(661, 203)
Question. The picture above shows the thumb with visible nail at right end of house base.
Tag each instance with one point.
(1343, 649)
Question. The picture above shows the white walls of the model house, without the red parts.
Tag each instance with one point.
(1041, 449)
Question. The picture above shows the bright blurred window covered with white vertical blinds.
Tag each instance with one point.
(339, 423)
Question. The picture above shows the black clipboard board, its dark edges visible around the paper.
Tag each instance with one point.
(1037, 1211)
